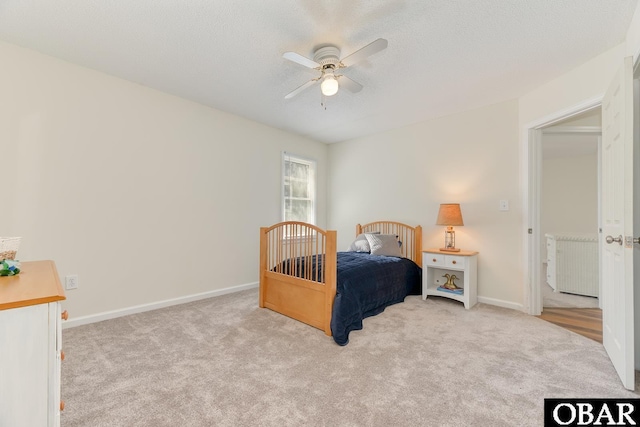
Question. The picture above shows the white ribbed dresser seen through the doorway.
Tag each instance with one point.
(572, 263)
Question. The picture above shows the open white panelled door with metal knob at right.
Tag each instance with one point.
(617, 224)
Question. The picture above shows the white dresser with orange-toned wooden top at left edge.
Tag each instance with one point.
(30, 346)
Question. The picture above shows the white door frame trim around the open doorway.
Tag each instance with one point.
(532, 173)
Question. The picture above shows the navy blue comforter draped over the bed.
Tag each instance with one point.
(367, 284)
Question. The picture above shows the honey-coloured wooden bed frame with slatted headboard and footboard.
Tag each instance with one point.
(300, 292)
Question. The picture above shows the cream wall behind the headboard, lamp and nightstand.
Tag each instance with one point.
(404, 174)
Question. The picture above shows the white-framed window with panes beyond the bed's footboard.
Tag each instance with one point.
(298, 189)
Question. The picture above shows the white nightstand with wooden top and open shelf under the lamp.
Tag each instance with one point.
(463, 264)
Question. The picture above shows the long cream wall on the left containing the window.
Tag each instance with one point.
(144, 195)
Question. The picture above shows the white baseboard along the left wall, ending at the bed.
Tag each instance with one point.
(85, 320)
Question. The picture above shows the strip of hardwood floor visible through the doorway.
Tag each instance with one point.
(584, 321)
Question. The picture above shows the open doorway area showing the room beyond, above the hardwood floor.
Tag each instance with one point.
(569, 212)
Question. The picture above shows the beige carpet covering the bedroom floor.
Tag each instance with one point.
(226, 362)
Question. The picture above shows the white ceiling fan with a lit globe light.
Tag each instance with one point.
(326, 59)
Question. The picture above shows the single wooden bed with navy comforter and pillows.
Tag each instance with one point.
(303, 276)
